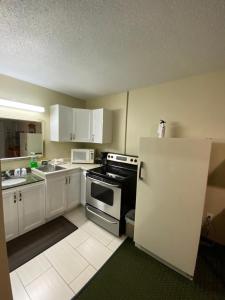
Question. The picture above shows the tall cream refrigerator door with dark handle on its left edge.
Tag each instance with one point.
(170, 199)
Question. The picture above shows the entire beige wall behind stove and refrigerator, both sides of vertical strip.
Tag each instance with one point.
(192, 107)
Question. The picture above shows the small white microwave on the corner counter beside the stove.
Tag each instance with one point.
(82, 156)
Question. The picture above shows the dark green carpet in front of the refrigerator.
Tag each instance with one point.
(131, 274)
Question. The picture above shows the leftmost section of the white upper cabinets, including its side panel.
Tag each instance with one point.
(61, 123)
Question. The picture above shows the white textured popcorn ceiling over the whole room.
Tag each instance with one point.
(88, 48)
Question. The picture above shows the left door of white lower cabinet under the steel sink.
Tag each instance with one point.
(55, 195)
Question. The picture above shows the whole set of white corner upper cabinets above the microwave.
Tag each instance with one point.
(80, 125)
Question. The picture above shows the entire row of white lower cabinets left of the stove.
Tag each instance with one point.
(27, 207)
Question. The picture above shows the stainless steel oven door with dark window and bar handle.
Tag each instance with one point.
(104, 196)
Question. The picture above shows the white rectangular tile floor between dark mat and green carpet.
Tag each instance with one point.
(62, 270)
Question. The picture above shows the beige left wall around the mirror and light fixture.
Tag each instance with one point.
(20, 91)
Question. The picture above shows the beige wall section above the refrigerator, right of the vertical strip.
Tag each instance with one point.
(192, 107)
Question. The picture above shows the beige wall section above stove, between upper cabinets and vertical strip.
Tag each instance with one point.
(117, 103)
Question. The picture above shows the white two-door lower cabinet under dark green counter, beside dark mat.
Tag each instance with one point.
(24, 209)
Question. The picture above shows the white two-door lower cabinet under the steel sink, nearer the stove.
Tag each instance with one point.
(62, 193)
